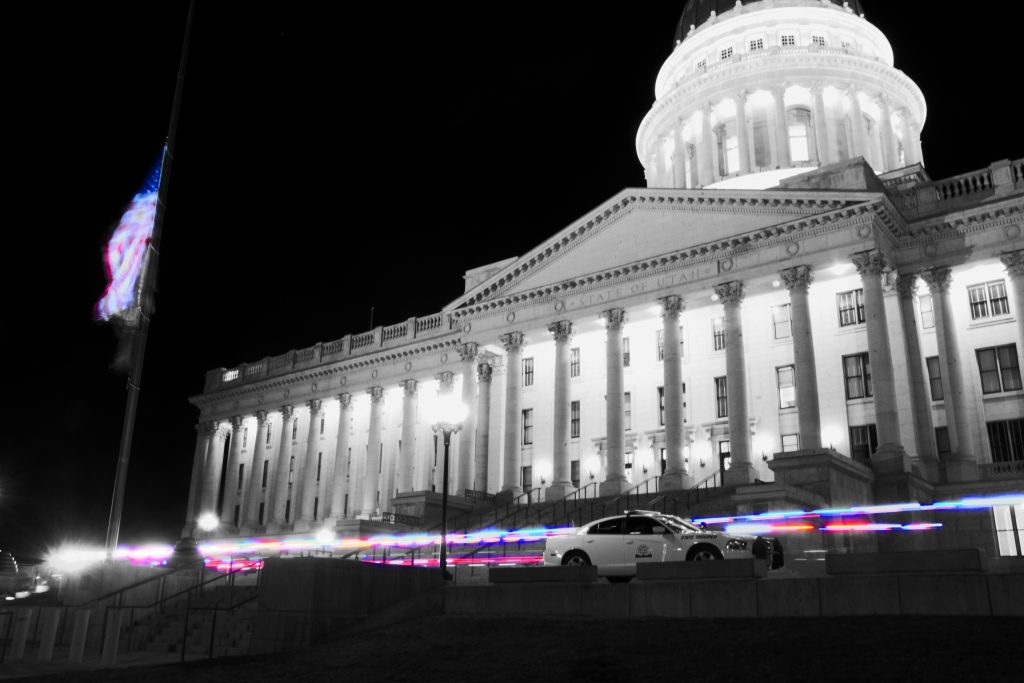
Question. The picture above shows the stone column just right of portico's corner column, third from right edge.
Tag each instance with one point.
(921, 408)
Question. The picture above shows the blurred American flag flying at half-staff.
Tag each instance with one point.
(125, 253)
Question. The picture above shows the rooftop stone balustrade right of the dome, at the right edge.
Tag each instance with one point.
(999, 180)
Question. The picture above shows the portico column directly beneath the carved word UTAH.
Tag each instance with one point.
(675, 477)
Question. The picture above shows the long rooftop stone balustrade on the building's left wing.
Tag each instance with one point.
(367, 343)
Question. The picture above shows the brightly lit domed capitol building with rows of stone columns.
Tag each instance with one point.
(792, 311)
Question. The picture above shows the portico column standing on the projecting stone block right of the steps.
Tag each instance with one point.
(798, 281)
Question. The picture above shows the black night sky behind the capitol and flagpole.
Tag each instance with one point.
(328, 161)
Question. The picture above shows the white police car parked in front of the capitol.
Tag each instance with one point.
(617, 545)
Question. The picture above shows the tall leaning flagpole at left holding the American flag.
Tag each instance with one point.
(145, 305)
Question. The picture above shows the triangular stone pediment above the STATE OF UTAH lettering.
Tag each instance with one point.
(638, 226)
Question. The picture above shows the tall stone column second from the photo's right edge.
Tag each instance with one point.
(963, 464)
